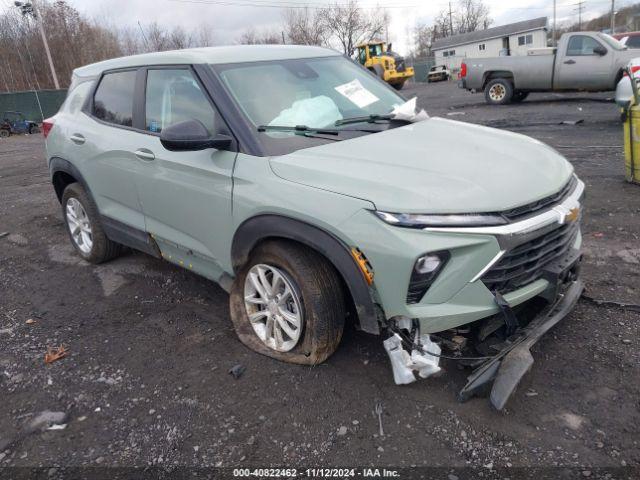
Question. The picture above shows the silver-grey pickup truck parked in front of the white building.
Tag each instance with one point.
(582, 61)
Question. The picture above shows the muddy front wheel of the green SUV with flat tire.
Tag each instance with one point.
(287, 303)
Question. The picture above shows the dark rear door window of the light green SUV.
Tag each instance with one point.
(113, 100)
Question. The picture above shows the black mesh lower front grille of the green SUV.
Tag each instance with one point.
(525, 263)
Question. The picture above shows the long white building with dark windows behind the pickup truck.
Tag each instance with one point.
(513, 39)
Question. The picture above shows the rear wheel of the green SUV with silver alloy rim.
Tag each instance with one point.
(84, 227)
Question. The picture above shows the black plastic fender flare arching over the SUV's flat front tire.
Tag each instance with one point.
(262, 227)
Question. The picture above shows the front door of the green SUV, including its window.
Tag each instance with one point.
(185, 196)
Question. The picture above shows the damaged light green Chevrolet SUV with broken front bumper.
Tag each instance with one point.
(287, 175)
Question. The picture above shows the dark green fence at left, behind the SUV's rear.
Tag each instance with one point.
(36, 105)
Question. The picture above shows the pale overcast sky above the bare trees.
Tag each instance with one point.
(230, 18)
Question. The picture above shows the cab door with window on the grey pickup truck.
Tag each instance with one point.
(580, 68)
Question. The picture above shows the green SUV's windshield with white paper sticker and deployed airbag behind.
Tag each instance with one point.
(315, 92)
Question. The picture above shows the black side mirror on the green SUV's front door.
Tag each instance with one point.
(191, 135)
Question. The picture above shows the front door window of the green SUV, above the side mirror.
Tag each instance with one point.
(174, 96)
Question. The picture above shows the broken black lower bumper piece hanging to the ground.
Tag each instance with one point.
(513, 361)
